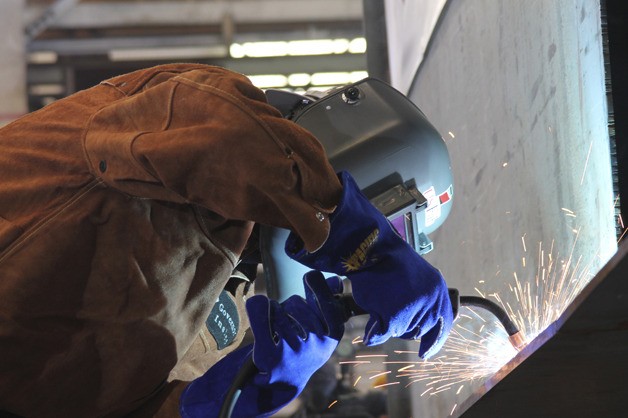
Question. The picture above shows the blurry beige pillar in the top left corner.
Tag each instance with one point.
(12, 61)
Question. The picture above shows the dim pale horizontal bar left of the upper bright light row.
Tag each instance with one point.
(173, 53)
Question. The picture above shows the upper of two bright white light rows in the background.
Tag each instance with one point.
(297, 48)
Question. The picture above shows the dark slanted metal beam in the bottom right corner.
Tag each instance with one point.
(575, 368)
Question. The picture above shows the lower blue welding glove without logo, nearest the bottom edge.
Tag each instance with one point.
(293, 339)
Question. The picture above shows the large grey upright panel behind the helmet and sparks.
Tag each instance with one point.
(517, 90)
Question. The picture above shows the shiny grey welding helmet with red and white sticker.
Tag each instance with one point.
(396, 156)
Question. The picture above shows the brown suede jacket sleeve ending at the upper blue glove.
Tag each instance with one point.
(207, 136)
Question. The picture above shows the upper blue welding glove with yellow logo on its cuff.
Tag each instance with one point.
(405, 296)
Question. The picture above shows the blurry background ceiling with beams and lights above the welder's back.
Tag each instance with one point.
(299, 44)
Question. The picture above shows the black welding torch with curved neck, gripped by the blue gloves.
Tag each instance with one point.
(350, 309)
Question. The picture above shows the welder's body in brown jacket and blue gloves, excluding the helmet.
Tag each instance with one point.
(124, 212)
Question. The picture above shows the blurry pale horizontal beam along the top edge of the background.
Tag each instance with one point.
(175, 13)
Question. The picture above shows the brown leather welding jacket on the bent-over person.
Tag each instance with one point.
(123, 210)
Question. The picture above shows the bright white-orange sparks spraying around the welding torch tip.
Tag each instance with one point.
(478, 346)
